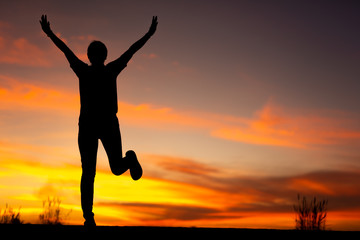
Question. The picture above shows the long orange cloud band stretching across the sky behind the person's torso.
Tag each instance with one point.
(271, 125)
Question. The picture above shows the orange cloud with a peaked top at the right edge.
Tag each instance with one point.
(272, 125)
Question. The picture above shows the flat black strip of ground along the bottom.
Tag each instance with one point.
(34, 231)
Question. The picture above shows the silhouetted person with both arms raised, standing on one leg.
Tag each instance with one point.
(98, 120)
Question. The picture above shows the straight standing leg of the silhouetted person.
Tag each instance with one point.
(88, 145)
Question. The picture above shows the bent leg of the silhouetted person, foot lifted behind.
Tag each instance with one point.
(111, 139)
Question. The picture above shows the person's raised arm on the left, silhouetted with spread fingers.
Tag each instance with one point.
(71, 57)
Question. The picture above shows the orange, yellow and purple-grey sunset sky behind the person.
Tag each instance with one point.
(233, 107)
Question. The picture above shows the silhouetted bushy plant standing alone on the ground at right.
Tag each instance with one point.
(310, 215)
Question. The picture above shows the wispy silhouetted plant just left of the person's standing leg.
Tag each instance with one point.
(52, 213)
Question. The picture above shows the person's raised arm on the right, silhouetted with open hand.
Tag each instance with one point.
(125, 58)
